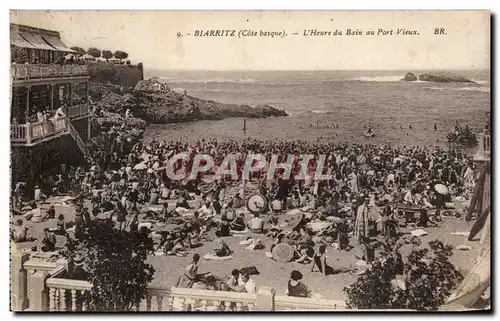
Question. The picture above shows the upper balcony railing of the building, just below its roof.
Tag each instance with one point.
(32, 71)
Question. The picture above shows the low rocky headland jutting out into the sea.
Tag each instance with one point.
(164, 106)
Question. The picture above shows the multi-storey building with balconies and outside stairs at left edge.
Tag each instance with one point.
(49, 105)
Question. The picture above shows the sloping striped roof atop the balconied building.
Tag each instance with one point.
(36, 38)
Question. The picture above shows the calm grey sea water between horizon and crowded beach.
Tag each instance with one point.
(333, 105)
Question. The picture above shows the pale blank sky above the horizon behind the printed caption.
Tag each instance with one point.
(151, 37)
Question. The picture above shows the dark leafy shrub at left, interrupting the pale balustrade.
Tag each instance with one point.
(115, 263)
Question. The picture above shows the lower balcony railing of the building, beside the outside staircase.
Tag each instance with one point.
(32, 132)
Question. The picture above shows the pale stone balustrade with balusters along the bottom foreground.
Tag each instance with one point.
(41, 286)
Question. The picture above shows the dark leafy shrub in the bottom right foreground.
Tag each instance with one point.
(428, 281)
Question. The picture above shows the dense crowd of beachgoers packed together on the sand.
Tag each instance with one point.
(371, 186)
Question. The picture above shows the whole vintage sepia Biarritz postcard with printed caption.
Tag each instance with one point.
(250, 160)
